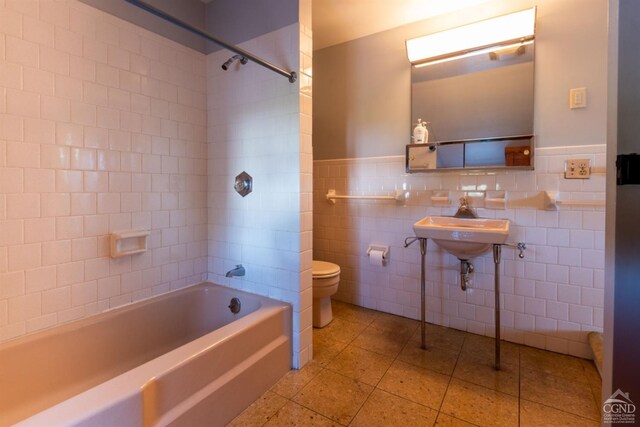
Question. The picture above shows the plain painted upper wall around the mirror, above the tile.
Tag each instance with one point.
(365, 96)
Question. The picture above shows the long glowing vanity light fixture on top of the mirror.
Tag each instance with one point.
(504, 32)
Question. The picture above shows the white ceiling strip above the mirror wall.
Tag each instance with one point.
(338, 21)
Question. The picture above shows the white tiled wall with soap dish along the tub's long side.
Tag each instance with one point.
(102, 128)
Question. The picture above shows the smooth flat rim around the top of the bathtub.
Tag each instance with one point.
(126, 388)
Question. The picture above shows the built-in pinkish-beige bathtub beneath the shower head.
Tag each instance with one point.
(181, 358)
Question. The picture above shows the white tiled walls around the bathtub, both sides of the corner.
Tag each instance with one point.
(105, 127)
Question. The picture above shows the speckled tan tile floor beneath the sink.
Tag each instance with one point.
(369, 370)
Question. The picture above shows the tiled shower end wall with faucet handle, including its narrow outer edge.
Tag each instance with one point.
(260, 123)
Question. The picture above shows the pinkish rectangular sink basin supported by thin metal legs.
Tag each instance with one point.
(465, 238)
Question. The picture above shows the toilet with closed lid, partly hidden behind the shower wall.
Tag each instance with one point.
(326, 276)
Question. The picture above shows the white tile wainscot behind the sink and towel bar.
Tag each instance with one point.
(550, 299)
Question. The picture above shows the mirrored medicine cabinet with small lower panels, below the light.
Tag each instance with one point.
(478, 109)
